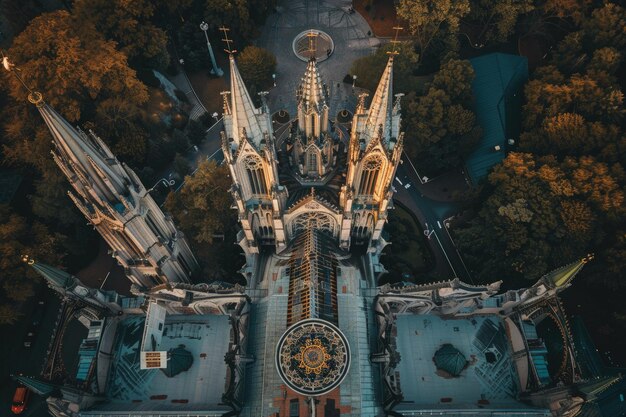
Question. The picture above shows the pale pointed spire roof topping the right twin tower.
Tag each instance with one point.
(380, 111)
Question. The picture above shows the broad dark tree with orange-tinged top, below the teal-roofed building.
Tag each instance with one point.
(542, 212)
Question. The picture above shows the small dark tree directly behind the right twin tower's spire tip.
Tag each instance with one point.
(369, 69)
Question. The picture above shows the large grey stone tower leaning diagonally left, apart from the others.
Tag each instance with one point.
(111, 196)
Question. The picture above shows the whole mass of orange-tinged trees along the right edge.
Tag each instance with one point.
(563, 195)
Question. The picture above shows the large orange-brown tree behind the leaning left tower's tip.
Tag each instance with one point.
(72, 65)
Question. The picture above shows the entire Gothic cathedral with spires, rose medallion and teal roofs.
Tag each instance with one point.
(312, 333)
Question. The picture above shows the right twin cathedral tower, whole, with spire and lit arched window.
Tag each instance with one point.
(374, 152)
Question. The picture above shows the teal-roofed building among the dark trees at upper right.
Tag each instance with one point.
(498, 91)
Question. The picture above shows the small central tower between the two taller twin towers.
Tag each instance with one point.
(312, 151)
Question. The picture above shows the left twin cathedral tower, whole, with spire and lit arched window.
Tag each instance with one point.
(249, 151)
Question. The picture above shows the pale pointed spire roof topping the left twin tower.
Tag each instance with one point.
(242, 108)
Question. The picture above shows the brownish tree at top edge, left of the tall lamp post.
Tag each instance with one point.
(129, 24)
